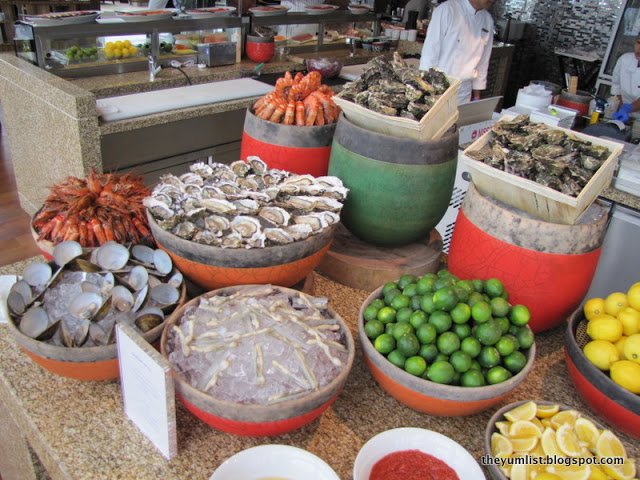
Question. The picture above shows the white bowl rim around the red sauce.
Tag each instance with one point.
(426, 441)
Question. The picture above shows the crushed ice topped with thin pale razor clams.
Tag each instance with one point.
(259, 345)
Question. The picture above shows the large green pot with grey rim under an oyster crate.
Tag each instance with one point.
(399, 188)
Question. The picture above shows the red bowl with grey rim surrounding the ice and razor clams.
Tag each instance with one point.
(256, 420)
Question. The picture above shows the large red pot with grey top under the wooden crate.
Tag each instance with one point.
(546, 266)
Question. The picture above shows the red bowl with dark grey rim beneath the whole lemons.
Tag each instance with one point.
(609, 400)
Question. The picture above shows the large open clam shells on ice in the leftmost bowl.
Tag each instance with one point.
(77, 300)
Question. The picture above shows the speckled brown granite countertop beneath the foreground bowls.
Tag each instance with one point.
(79, 431)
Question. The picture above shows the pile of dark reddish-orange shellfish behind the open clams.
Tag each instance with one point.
(95, 210)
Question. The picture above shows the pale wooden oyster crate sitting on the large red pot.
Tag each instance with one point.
(539, 200)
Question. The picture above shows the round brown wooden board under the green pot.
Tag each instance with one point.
(357, 264)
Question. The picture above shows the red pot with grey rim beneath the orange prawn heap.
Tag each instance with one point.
(288, 147)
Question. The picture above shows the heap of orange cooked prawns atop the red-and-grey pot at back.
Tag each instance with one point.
(300, 100)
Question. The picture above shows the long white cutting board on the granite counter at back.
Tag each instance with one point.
(139, 104)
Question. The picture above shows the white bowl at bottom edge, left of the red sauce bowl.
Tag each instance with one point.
(274, 461)
